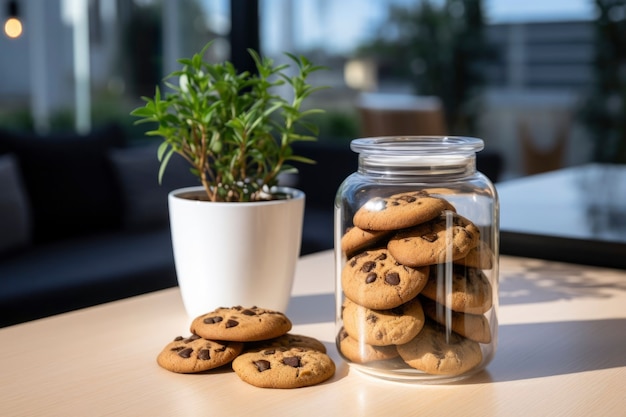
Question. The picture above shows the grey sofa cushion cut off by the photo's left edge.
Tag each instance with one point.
(15, 221)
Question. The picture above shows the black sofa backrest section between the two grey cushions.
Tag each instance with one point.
(69, 180)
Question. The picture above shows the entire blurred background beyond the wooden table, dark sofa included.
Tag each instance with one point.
(83, 219)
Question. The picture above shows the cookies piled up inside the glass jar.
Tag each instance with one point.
(415, 295)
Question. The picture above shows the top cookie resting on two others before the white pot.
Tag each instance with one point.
(241, 324)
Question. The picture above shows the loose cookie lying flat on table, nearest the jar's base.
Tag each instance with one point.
(284, 368)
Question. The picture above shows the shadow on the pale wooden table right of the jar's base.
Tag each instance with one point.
(537, 350)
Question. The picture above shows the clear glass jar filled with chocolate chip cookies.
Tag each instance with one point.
(416, 258)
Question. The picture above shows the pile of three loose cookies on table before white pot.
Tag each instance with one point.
(256, 342)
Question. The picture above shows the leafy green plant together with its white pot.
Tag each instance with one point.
(236, 237)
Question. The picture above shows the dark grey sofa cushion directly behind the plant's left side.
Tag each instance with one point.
(143, 198)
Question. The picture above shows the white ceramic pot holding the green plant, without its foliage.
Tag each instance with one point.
(229, 254)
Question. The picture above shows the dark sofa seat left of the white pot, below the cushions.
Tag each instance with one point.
(60, 276)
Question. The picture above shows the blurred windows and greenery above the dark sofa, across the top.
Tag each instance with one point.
(542, 82)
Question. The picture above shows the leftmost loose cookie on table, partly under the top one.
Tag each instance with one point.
(195, 354)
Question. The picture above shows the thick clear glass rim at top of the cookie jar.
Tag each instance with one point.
(403, 145)
